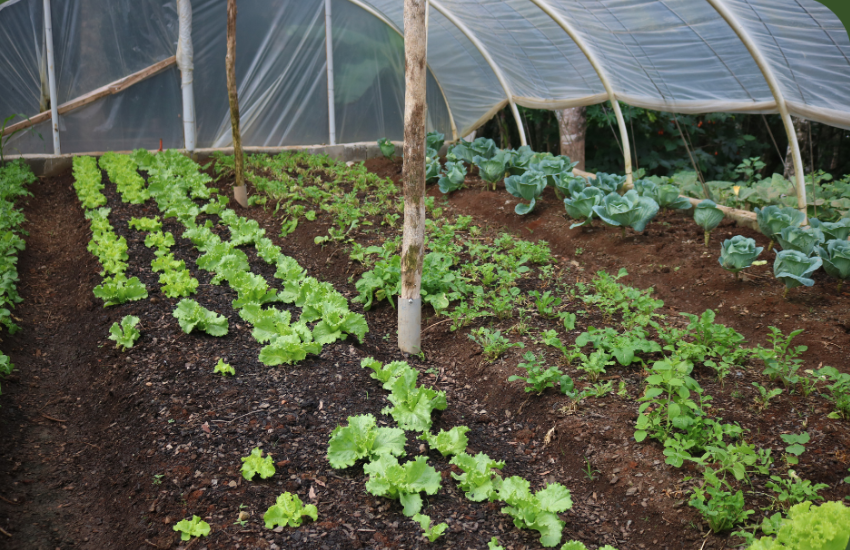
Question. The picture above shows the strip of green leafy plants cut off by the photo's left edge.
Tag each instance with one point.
(14, 178)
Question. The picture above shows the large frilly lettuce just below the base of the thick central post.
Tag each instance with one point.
(412, 404)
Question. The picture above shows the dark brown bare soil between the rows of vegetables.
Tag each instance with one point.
(86, 431)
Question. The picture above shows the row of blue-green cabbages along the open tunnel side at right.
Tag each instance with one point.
(526, 174)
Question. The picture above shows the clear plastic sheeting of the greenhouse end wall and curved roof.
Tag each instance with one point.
(688, 56)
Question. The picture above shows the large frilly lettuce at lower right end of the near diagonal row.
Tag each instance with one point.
(538, 511)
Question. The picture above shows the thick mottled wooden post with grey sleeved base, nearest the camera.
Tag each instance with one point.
(413, 174)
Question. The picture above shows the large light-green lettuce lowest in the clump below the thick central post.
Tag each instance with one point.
(388, 478)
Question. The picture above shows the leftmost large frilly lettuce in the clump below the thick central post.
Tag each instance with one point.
(361, 439)
